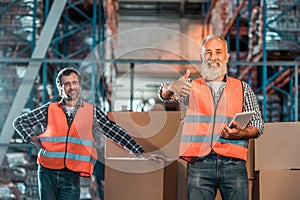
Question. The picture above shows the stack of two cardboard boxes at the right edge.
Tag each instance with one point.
(277, 161)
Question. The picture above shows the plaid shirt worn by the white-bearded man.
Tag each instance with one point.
(250, 103)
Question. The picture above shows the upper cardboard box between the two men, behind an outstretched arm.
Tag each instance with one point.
(157, 131)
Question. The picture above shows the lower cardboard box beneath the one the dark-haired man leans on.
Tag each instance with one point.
(127, 185)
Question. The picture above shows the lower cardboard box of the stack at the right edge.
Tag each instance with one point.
(279, 184)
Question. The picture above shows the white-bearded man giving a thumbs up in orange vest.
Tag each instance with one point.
(216, 153)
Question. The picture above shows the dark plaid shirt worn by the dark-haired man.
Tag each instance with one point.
(27, 124)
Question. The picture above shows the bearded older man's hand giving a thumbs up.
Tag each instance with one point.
(181, 87)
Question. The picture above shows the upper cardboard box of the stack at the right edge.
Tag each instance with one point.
(278, 147)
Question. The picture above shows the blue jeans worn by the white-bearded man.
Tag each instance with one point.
(208, 174)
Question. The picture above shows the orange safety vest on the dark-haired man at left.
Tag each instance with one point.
(71, 147)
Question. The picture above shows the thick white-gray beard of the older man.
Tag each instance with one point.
(212, 74)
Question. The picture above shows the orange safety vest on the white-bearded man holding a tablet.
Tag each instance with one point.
(204, 121)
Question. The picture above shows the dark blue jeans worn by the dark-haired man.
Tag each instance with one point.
(58, 184)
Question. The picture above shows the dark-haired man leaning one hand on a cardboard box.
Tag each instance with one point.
(67, 147)
